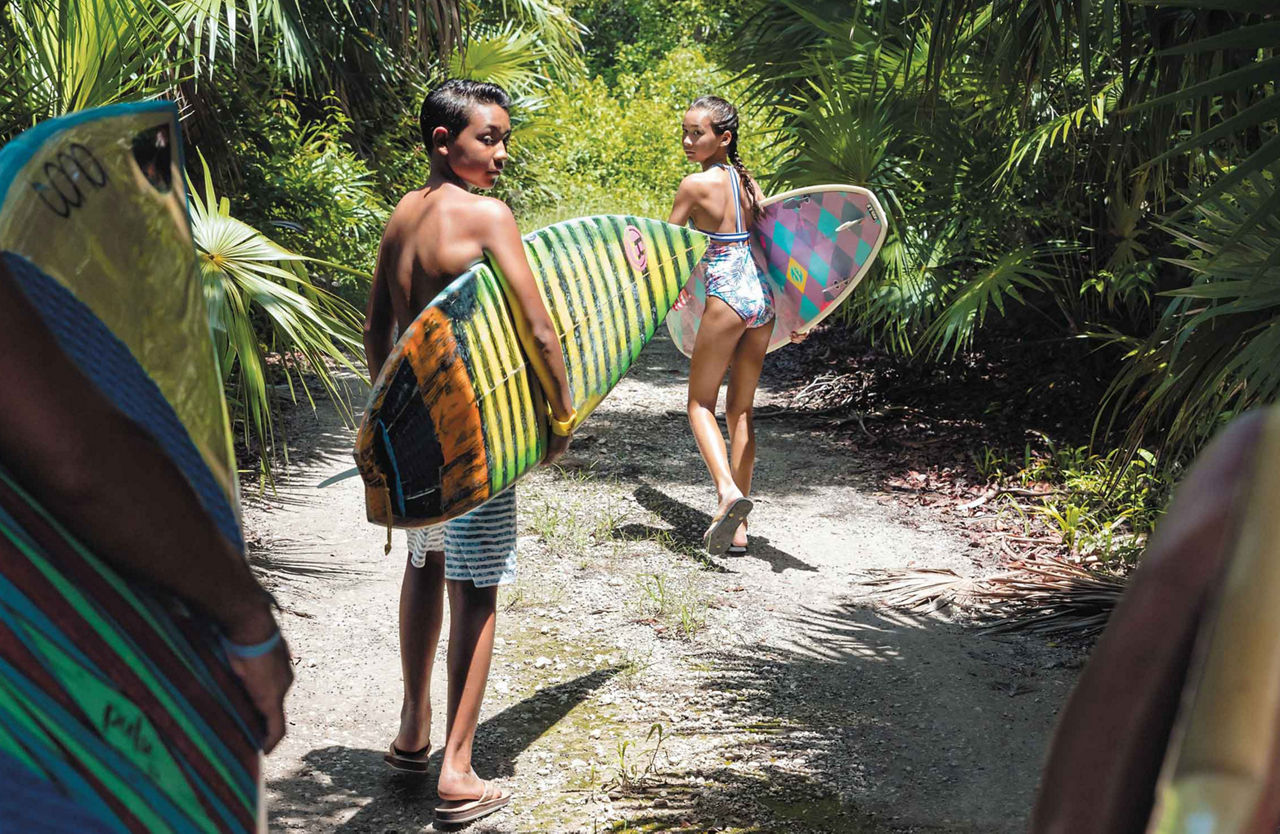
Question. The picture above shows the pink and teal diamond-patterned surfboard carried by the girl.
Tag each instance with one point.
(815, 246)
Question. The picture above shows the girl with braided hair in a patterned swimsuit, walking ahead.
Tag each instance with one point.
(723, 200)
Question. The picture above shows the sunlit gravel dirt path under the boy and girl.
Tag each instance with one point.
(639, 686)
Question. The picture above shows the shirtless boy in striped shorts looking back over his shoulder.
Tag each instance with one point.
(435, 235)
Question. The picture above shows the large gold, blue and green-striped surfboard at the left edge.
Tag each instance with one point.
(118, 709)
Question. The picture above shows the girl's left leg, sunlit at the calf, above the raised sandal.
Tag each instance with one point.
(717, 340)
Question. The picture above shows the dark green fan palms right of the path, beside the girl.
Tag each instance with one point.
(1103, 172)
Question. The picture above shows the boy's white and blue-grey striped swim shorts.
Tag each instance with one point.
(479, 547)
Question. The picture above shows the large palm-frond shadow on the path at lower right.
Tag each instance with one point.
(904, 705)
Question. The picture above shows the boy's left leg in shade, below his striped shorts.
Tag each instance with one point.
(422, 613)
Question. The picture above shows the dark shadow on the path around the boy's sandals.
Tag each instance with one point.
(335, 780)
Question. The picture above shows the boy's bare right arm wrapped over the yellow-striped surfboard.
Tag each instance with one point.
(502, 241)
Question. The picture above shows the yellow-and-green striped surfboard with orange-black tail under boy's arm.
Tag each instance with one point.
(458, 415)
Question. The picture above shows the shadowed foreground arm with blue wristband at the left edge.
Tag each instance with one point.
(120, 494)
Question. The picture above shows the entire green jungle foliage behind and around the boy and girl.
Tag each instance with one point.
(1103, 173)
